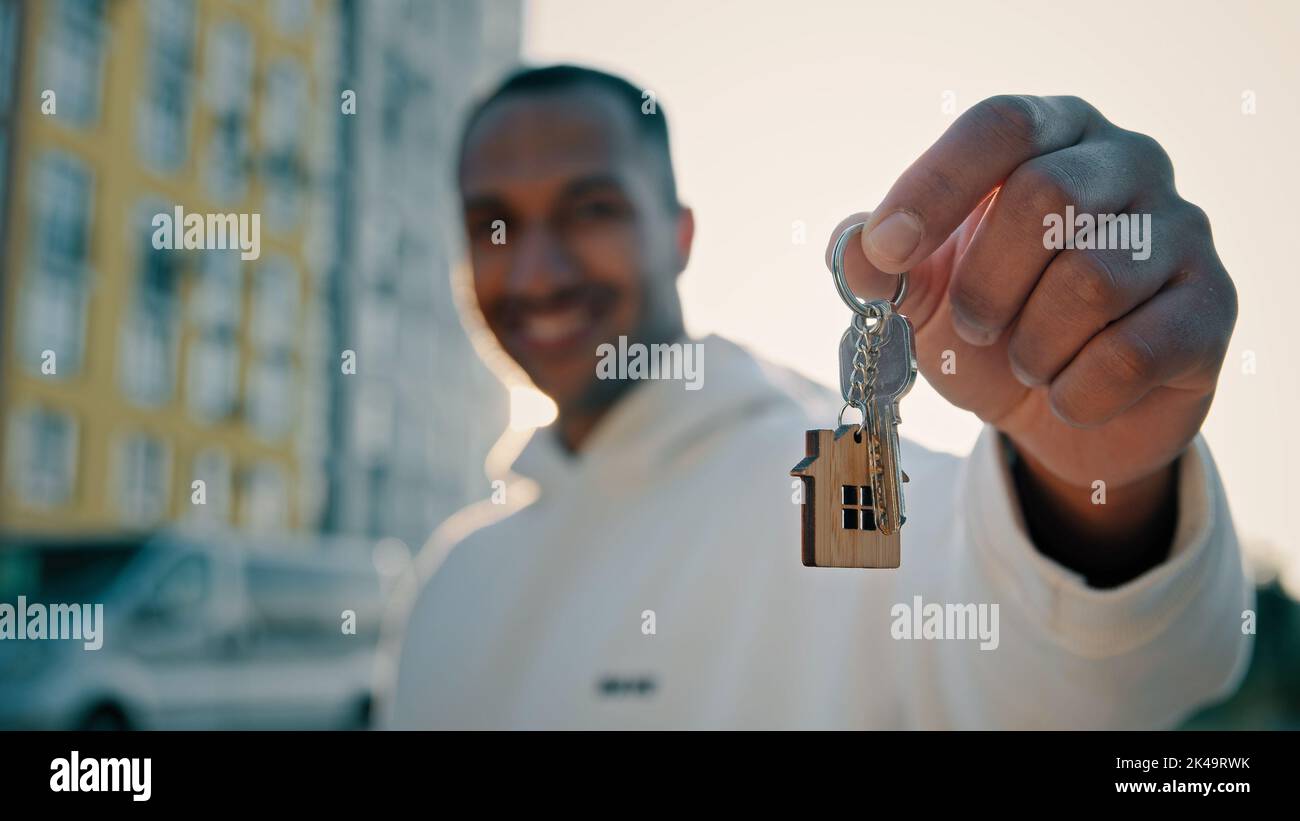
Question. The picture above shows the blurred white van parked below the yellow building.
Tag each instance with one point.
(200, 631)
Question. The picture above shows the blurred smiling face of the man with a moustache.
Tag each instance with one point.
(593, 242)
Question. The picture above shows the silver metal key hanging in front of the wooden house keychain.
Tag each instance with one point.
(896, 375)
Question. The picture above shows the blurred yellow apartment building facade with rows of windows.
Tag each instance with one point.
(128, 372)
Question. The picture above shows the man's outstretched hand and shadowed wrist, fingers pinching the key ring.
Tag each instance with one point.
(1098, 366)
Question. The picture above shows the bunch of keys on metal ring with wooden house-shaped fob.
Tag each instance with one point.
(853, 498)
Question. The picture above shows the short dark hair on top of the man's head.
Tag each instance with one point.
(649, 121)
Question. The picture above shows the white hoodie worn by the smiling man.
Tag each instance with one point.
(535, 614)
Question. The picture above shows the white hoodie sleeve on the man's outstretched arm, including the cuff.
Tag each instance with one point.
(1067, 655)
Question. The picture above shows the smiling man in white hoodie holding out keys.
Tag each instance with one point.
(645, 572)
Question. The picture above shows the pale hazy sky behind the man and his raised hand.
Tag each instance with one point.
(786, 112)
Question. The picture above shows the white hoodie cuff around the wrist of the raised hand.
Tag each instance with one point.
(1085, 620)
